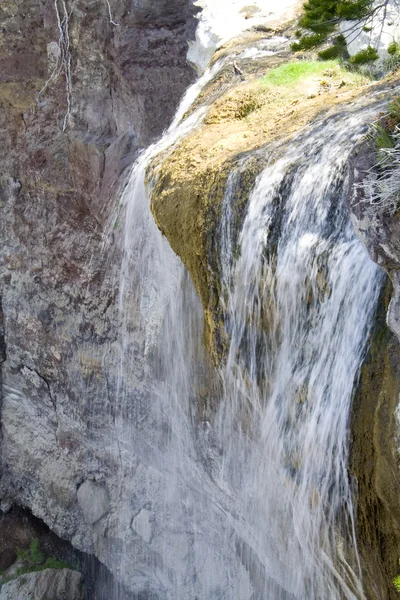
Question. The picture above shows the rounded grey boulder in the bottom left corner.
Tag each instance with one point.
(54, 584)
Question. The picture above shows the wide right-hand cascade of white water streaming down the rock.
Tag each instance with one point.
(300, 302)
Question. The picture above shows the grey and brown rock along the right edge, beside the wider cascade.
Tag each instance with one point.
(375, 425)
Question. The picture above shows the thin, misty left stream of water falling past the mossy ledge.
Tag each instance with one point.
(173, 543)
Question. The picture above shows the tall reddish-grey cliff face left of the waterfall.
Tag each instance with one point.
(83, 86)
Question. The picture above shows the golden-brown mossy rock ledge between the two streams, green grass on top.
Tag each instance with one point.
(239, 132)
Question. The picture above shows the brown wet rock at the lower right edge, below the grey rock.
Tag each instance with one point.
(374, 459)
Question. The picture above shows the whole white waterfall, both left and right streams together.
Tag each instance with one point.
(255, 504)
